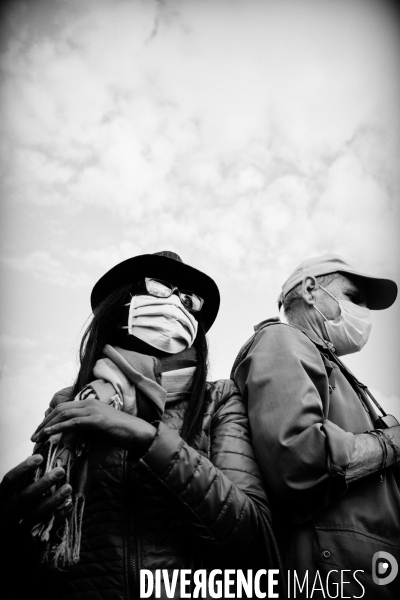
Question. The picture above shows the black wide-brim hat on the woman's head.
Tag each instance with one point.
(164, 265)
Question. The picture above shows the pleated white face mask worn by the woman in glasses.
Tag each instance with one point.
(163, 323)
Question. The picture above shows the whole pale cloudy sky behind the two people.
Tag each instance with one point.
(245, 135)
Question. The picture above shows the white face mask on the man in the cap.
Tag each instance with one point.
(350, 331)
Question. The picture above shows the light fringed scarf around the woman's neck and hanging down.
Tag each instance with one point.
(126, 380)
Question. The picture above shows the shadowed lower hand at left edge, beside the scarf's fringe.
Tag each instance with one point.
(34, 503)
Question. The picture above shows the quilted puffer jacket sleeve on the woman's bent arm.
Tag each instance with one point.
(223, 499)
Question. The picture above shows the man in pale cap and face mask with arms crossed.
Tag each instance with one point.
(329, 459)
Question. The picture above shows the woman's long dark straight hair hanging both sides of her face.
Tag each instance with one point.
(102, 329)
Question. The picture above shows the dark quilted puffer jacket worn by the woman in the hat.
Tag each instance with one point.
(176, 507)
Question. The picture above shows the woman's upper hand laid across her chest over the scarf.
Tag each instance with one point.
(97, 417)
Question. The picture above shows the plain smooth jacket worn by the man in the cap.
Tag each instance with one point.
(303, 415)
